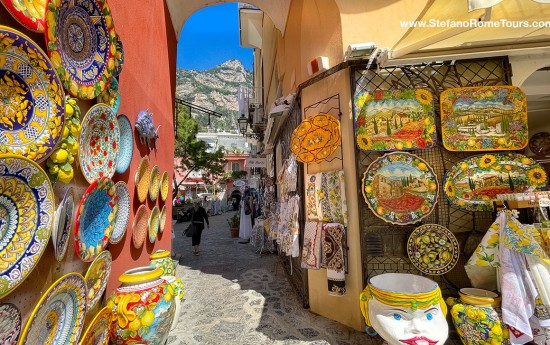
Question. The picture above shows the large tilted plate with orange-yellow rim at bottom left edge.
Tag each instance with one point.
(59, 316)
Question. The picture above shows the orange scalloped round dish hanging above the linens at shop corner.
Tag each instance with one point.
(316, 138)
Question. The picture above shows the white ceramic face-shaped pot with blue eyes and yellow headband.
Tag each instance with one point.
(405, 309)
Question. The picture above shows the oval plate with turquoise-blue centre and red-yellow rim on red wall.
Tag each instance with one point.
(95, 219)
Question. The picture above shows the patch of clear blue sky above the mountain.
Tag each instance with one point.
(211, 37)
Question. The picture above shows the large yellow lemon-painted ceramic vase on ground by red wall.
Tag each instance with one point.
(143, 307)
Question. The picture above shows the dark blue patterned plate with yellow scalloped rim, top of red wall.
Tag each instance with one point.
(81, 40)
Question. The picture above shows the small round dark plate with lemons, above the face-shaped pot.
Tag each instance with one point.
(433, 249)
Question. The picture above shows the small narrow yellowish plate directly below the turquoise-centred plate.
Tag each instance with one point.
(97, 277)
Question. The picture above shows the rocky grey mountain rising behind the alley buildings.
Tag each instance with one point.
(215, 89)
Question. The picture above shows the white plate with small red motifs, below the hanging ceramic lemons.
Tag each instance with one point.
(99, 143)
